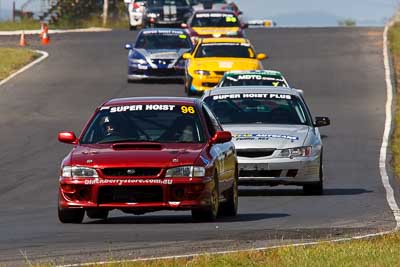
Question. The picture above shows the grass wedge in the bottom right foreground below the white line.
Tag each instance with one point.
(379, 251)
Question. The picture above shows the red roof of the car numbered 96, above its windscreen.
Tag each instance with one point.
(166, 100)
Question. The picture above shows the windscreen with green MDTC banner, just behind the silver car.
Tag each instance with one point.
(252, 79)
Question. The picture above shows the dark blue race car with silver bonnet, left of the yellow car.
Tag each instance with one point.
(157, 54)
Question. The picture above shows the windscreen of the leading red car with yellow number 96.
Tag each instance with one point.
(164, 123)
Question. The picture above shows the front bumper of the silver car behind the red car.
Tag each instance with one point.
(278, 171)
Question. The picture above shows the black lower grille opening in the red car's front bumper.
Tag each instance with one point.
(130, 194)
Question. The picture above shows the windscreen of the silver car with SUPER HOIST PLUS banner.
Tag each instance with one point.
(258, 108)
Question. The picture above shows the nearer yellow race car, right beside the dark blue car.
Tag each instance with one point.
(212, 57)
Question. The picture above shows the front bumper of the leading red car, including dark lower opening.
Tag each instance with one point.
(143, 194)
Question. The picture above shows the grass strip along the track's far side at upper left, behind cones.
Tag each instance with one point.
(30, 24)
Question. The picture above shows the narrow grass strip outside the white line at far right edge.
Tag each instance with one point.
(394, 38)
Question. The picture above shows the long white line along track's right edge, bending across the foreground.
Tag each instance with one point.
(383, 171)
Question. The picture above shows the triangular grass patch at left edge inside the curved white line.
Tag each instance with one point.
(13, 59)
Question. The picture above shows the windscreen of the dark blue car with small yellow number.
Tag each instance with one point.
(163, 40)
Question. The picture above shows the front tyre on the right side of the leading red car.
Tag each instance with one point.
(210, 213)
